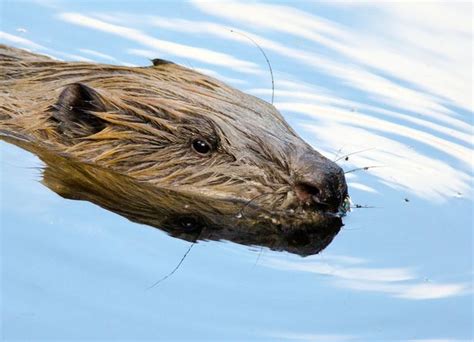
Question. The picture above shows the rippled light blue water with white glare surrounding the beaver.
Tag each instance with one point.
(392, 80)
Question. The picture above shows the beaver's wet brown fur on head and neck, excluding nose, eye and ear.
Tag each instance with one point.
(151, 115)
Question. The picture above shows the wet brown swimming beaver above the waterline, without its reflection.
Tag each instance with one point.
(172, 128)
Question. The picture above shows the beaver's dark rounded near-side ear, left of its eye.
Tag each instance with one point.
(74, 111)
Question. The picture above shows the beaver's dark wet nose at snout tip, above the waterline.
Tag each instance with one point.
(319, 183)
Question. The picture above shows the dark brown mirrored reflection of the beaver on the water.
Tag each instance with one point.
(190, 218)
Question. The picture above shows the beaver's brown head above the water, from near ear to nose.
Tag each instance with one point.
(179, 129)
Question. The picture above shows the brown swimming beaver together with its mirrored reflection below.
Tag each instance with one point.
(186, 140)
